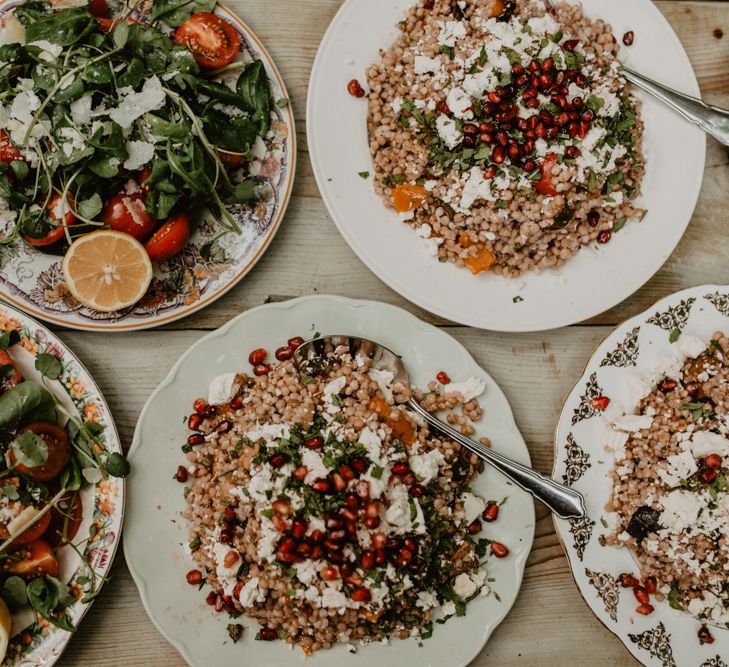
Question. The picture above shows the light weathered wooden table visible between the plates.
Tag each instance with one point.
(549, 624)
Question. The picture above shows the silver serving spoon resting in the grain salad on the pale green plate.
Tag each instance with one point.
(564, 502)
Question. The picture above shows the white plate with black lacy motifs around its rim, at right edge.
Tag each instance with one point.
(667, 637)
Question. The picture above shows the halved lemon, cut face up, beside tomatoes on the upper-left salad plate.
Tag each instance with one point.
(107, 270)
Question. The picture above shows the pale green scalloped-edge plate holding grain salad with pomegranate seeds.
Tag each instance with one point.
(155, 532)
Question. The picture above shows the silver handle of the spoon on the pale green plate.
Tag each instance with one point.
(563, 502)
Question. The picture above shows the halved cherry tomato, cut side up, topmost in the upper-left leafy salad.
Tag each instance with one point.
(213, 41)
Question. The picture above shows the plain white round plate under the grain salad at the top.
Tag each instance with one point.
(589, 283)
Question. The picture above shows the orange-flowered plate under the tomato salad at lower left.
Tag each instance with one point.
(39, 643)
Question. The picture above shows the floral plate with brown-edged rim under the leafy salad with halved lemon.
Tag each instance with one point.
(204, 271)
